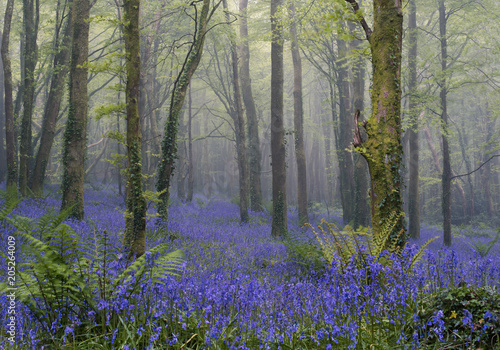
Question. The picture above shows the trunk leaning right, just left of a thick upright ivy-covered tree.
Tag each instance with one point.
(60, 68)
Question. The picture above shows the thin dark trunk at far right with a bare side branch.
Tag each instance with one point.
(446, 181)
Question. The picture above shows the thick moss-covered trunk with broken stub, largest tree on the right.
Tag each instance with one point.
(382, 149)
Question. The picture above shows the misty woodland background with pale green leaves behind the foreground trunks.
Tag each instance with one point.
(449, 84)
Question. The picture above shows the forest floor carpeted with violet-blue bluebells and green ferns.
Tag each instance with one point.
(236, 287)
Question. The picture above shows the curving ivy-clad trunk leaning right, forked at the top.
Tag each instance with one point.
(169, 144)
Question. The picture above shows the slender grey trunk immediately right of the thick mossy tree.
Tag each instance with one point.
(414, 195)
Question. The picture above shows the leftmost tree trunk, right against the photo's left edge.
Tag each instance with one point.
(10, 146)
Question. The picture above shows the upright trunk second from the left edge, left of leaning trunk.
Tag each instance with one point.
(30, 22)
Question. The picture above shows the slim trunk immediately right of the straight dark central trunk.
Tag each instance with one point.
(298, 121)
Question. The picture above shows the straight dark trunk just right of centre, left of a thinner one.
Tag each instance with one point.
(278, 150)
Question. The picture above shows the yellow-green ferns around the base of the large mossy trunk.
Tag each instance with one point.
(363, 246)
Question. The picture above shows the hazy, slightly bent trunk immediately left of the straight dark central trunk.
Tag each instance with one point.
(254, 156)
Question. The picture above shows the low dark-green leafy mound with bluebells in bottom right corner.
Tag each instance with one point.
(470, 316)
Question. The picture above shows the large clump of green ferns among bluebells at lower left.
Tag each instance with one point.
(64, 281)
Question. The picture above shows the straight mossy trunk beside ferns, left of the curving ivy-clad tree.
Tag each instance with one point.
(134, 241)
